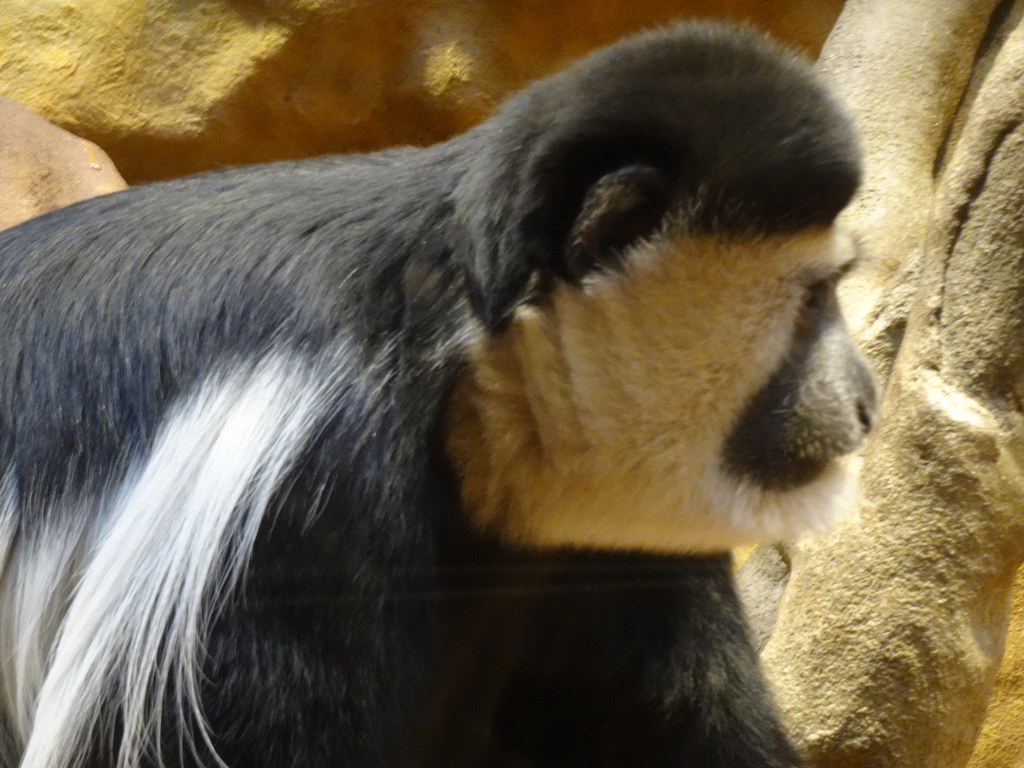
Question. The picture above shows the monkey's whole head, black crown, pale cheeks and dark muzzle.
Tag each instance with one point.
(650, 242)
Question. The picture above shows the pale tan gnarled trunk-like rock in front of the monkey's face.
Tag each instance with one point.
(890, 629)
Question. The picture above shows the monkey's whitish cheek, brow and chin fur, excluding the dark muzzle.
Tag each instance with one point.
(599, 421)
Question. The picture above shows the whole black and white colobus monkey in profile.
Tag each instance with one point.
(422, 458)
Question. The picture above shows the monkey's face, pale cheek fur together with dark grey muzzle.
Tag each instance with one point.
(701, 396)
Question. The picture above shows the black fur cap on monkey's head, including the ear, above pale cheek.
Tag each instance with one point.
(710, 125)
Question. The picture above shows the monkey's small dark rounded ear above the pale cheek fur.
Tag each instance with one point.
(620, 209)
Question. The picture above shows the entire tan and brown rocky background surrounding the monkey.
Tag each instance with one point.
(898, 639)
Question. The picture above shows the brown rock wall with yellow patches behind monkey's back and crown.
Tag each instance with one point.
(172, 88)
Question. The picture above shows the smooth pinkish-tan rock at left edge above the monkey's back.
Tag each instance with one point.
(44, 167)
